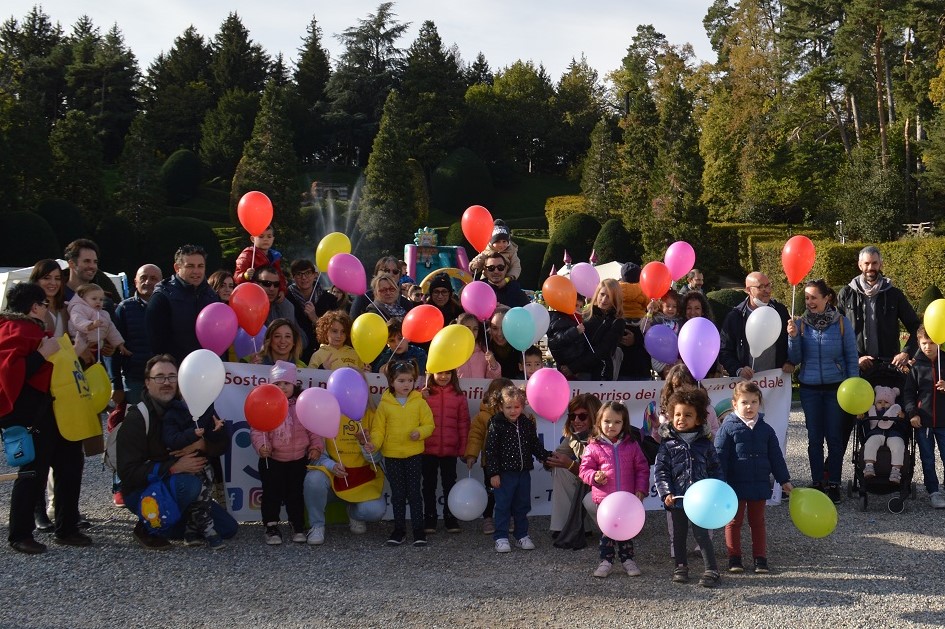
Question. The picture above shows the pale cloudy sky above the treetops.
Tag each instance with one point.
(551, 32)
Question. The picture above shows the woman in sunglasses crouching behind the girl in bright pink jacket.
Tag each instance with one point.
(566, 459)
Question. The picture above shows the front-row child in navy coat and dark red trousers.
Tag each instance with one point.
(749, 452)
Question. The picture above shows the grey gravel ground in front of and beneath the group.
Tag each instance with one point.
(877, 569)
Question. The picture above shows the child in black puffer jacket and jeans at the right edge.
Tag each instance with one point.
(923, 396)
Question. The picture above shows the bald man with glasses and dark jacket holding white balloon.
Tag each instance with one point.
(734, 353)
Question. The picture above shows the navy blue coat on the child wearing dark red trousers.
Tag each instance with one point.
(749, 456)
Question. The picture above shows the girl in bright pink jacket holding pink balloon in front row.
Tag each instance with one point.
(613, 461)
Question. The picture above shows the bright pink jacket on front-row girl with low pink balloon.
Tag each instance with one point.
(623, 463)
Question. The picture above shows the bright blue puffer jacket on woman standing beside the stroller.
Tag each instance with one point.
(825, 357)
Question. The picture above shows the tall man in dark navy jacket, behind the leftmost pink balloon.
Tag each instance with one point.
(171, 315)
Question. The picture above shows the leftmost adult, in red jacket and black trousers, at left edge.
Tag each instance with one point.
(25, 400)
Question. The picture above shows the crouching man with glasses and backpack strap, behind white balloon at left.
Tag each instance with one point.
(140, 452)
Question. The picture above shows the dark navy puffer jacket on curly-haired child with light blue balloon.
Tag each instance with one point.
(679, 464)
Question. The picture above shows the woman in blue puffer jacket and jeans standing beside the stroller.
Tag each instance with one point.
(822, 341)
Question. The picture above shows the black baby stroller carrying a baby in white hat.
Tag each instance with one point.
(886, 375)
